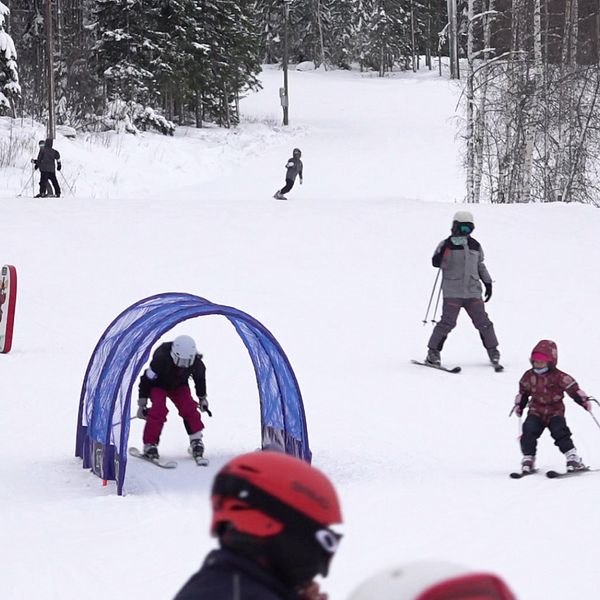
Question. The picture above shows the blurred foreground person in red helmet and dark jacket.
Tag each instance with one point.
(272, 515)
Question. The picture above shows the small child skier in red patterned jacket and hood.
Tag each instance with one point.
(543, 387)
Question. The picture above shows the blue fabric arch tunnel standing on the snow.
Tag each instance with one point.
(124, 349)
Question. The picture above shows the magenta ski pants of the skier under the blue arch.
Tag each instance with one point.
(157, 414)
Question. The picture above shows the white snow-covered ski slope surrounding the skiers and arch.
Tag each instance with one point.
(341, 274)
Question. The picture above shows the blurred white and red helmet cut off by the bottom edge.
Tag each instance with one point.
(432, 580)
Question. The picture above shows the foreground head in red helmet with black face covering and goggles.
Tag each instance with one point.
(278, 510)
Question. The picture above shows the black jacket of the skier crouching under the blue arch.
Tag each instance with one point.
(164, 374)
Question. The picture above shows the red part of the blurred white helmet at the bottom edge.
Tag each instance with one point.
(476, 586)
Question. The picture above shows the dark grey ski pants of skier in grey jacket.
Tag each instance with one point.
(475, 309)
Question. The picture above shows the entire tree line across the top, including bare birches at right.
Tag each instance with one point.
(530, 70)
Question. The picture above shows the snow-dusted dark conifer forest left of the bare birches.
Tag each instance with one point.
(189, 60)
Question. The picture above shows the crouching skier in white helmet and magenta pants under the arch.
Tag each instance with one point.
(172, 364)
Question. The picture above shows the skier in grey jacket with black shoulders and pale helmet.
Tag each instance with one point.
(461, 259)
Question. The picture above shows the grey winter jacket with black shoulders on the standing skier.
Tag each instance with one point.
(462, 268)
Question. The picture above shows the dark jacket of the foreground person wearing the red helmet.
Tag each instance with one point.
(226, 575)
